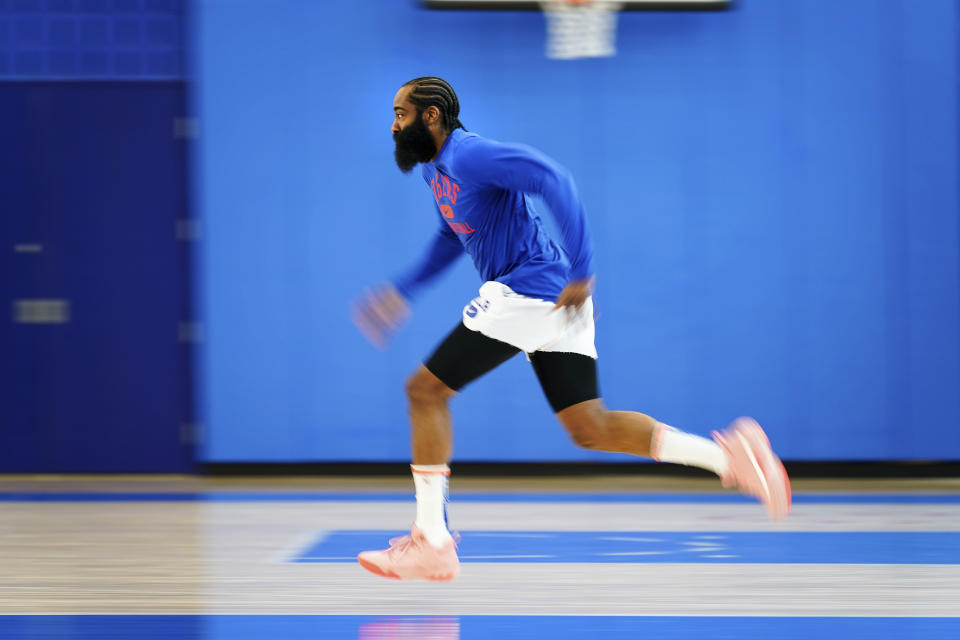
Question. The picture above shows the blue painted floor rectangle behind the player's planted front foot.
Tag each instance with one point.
(859, 547)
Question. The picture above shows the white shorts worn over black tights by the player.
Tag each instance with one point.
(530, 324)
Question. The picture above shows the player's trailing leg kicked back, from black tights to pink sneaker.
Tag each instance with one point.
(741, 456)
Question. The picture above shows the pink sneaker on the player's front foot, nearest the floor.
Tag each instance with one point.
(411, 557)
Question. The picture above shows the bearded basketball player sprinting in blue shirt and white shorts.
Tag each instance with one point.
(536, 298)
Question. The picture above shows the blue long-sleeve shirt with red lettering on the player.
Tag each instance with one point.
(482, 190)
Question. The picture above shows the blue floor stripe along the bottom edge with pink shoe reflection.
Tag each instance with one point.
(299, 627)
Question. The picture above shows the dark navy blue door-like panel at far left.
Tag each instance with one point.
(92, 183)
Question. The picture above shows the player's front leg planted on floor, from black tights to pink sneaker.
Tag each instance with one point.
(429, 551)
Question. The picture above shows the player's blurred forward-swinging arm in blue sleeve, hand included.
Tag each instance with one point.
(381, 311)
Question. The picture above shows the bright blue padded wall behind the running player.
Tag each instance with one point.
(772, 193)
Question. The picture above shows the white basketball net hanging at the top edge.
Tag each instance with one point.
(581, 28)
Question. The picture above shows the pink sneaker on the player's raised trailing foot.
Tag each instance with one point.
(753, 467)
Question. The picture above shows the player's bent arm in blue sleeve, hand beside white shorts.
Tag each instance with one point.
(521, 168)
